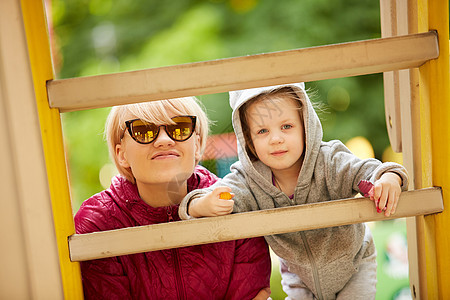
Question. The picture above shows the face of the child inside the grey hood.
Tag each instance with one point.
(277, 132)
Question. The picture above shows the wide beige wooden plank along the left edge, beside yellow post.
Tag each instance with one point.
(29, 256)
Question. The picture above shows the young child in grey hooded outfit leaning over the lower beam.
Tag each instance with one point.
(282, 162)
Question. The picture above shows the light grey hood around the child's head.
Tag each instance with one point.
(313, 131)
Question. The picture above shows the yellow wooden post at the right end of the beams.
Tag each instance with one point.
(435, 111)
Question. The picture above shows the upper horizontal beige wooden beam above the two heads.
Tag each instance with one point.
(308, 64)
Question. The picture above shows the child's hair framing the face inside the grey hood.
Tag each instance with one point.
(273, 95)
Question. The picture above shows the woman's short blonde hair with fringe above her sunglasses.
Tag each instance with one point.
(156, 112)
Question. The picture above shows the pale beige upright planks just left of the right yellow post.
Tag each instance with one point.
(401, 98)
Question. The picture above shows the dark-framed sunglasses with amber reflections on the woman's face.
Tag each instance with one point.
(145, 132)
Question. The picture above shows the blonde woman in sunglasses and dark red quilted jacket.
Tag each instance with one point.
(156, 147)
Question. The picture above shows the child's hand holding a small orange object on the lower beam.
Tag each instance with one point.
(211, 205)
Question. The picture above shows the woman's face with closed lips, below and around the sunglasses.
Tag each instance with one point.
(160, 162)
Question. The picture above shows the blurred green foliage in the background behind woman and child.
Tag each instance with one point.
(91, 37)
